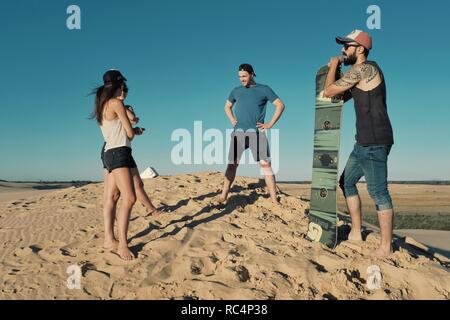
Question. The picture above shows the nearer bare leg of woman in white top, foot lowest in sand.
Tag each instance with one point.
(124, 181)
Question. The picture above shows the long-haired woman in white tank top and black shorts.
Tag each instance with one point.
(111, 115)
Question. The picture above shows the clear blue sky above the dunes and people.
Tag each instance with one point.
(180, 58)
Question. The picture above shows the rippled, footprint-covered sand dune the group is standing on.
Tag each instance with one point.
(248, 249)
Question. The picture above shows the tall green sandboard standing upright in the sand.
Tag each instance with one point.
(322, 215)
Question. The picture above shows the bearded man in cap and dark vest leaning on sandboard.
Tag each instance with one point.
(365, 83)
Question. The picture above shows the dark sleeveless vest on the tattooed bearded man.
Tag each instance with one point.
(372, 121)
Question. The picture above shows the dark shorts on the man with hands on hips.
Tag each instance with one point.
(241, 141)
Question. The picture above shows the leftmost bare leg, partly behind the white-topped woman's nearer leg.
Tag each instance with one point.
(110, 197)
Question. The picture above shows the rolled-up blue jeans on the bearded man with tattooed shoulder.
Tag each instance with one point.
(370, 162)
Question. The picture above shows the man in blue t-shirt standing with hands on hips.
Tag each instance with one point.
(249, 102)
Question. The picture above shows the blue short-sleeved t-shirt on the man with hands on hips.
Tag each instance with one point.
(250, 105)
